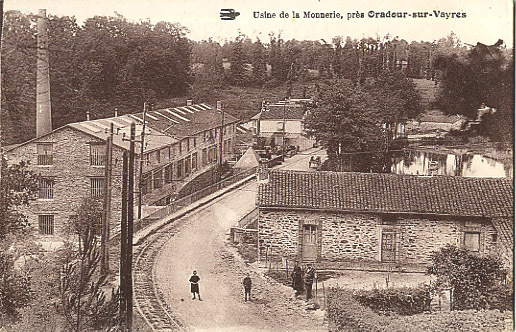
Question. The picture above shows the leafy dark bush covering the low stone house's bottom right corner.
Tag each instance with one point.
(473, 279)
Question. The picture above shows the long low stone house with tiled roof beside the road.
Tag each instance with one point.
(383, 218)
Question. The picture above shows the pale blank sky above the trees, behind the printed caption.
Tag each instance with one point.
(486, 21)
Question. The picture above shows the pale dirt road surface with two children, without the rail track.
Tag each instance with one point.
(201, 244)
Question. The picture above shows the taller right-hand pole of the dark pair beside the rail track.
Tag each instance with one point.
(130, 221)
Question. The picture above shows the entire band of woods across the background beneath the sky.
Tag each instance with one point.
(109, 62)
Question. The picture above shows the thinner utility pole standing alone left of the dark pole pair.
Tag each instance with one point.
(104, 248)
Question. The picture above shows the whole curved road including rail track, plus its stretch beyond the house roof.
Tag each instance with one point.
(199, 241)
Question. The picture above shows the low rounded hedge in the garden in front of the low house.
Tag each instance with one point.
(403, 301)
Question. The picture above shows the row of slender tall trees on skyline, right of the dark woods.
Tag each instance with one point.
(278, 60)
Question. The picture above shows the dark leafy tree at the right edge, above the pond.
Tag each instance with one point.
(484, 75)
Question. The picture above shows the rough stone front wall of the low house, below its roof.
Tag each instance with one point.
(357, 237)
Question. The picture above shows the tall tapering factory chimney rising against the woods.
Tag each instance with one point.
(43, 112)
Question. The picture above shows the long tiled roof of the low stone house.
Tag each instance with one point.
(373, 192)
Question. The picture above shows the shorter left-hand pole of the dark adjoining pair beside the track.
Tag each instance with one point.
(123, 242)
